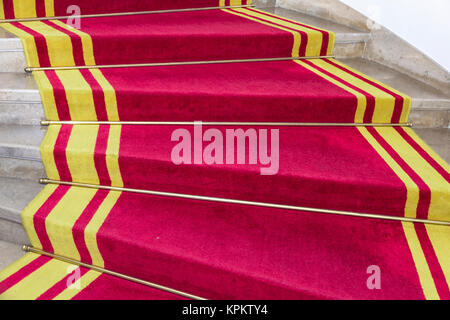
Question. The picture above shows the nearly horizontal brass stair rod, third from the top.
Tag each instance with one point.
(206, 123)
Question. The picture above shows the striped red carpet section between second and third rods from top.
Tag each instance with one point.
(304, 91)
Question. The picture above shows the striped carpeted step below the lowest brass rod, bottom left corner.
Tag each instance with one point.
(96, 285)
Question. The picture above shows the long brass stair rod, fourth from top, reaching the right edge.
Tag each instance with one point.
(244, 202)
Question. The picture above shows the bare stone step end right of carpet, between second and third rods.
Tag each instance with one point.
(430, 107)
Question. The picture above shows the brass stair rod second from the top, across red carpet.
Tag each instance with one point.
(180, 63)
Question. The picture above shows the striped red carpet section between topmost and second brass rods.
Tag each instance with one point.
(181, 36)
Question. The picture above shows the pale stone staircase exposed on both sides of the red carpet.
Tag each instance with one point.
(21, 111)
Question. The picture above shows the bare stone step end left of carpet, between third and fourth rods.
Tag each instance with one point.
(19, 152)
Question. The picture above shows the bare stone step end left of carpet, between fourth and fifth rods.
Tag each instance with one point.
(15, 194)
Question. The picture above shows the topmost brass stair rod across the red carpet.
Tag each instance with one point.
(118, 14)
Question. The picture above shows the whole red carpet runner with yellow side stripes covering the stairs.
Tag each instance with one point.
(227, 224)
